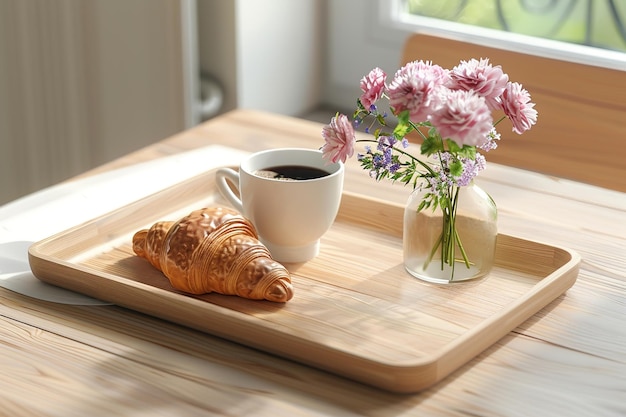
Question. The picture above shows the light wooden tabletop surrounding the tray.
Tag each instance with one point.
(569, 359)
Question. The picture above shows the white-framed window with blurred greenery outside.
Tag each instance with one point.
(570, 30)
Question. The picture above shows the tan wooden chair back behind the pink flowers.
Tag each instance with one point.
(581, 129)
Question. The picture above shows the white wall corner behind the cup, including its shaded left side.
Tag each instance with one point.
(267, 54)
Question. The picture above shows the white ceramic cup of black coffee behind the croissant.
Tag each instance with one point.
(290, 215)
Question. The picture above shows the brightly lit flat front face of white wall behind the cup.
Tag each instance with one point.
(279, 54)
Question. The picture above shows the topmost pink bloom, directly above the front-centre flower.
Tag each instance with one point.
(481, 77)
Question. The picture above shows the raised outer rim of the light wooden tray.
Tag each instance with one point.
(392, 377)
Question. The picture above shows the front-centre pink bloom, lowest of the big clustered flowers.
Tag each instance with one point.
(463, 117)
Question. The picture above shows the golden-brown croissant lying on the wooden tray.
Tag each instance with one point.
(214, 250)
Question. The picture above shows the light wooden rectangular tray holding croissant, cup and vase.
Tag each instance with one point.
(356, 312)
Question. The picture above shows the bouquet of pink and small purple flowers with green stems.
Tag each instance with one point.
(452, 112)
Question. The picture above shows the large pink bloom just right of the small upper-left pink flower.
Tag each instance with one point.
(413, 88)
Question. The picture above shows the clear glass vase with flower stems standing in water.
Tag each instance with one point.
(455, 244)
